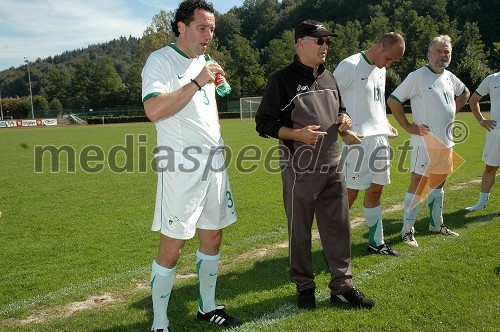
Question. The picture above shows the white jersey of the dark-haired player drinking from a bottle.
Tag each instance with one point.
(196, 127)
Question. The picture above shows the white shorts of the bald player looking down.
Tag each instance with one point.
(367, 163)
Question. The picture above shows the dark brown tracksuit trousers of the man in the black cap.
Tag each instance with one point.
(322, 194)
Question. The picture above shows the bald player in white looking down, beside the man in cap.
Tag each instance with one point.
(361, 80)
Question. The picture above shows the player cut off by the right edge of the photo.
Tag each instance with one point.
(491, 154)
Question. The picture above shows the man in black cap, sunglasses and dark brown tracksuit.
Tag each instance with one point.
(302, 108)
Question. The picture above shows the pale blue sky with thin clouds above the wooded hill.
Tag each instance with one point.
(42, 28)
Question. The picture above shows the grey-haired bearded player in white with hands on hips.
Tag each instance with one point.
(436, 95)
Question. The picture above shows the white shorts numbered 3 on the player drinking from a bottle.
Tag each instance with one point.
(197, 194)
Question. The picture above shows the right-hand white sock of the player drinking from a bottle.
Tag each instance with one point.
(208, 268)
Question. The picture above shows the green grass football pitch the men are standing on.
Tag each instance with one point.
(76, 249)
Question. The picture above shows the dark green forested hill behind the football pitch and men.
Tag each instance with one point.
(254, 40)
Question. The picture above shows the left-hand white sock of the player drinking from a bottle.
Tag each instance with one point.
(162, 282)
